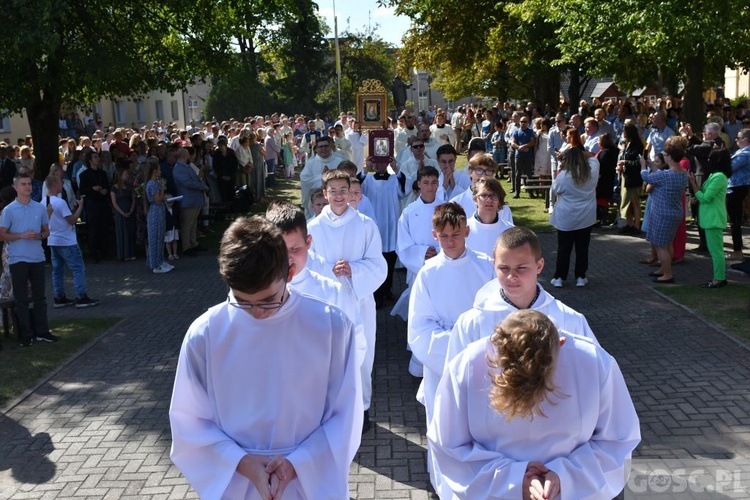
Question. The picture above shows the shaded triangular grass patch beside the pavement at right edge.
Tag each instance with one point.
(728, 306)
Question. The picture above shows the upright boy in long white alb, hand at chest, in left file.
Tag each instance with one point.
(349, 243)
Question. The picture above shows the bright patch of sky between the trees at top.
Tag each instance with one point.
(360, 13)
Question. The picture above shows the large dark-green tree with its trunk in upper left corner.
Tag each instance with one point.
(66, 51)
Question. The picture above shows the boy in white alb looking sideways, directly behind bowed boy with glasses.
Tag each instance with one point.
(290, 219)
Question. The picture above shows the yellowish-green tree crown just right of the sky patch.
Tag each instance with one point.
(501, 52)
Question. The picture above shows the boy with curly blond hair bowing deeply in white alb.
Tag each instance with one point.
(557, 424)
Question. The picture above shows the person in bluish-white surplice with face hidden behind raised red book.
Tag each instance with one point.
(384, 191)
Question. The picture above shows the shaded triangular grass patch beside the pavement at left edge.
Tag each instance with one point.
(23, 367)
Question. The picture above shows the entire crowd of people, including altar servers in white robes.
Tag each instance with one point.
(312, 277)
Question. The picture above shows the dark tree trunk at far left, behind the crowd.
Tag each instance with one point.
(43, 118)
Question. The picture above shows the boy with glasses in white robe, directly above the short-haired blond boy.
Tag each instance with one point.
(487, 223)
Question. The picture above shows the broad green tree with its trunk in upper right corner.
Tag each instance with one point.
(638, 41)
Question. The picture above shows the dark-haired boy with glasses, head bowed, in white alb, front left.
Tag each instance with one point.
(267, 395)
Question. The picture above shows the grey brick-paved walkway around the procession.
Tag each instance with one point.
(99, 428)
